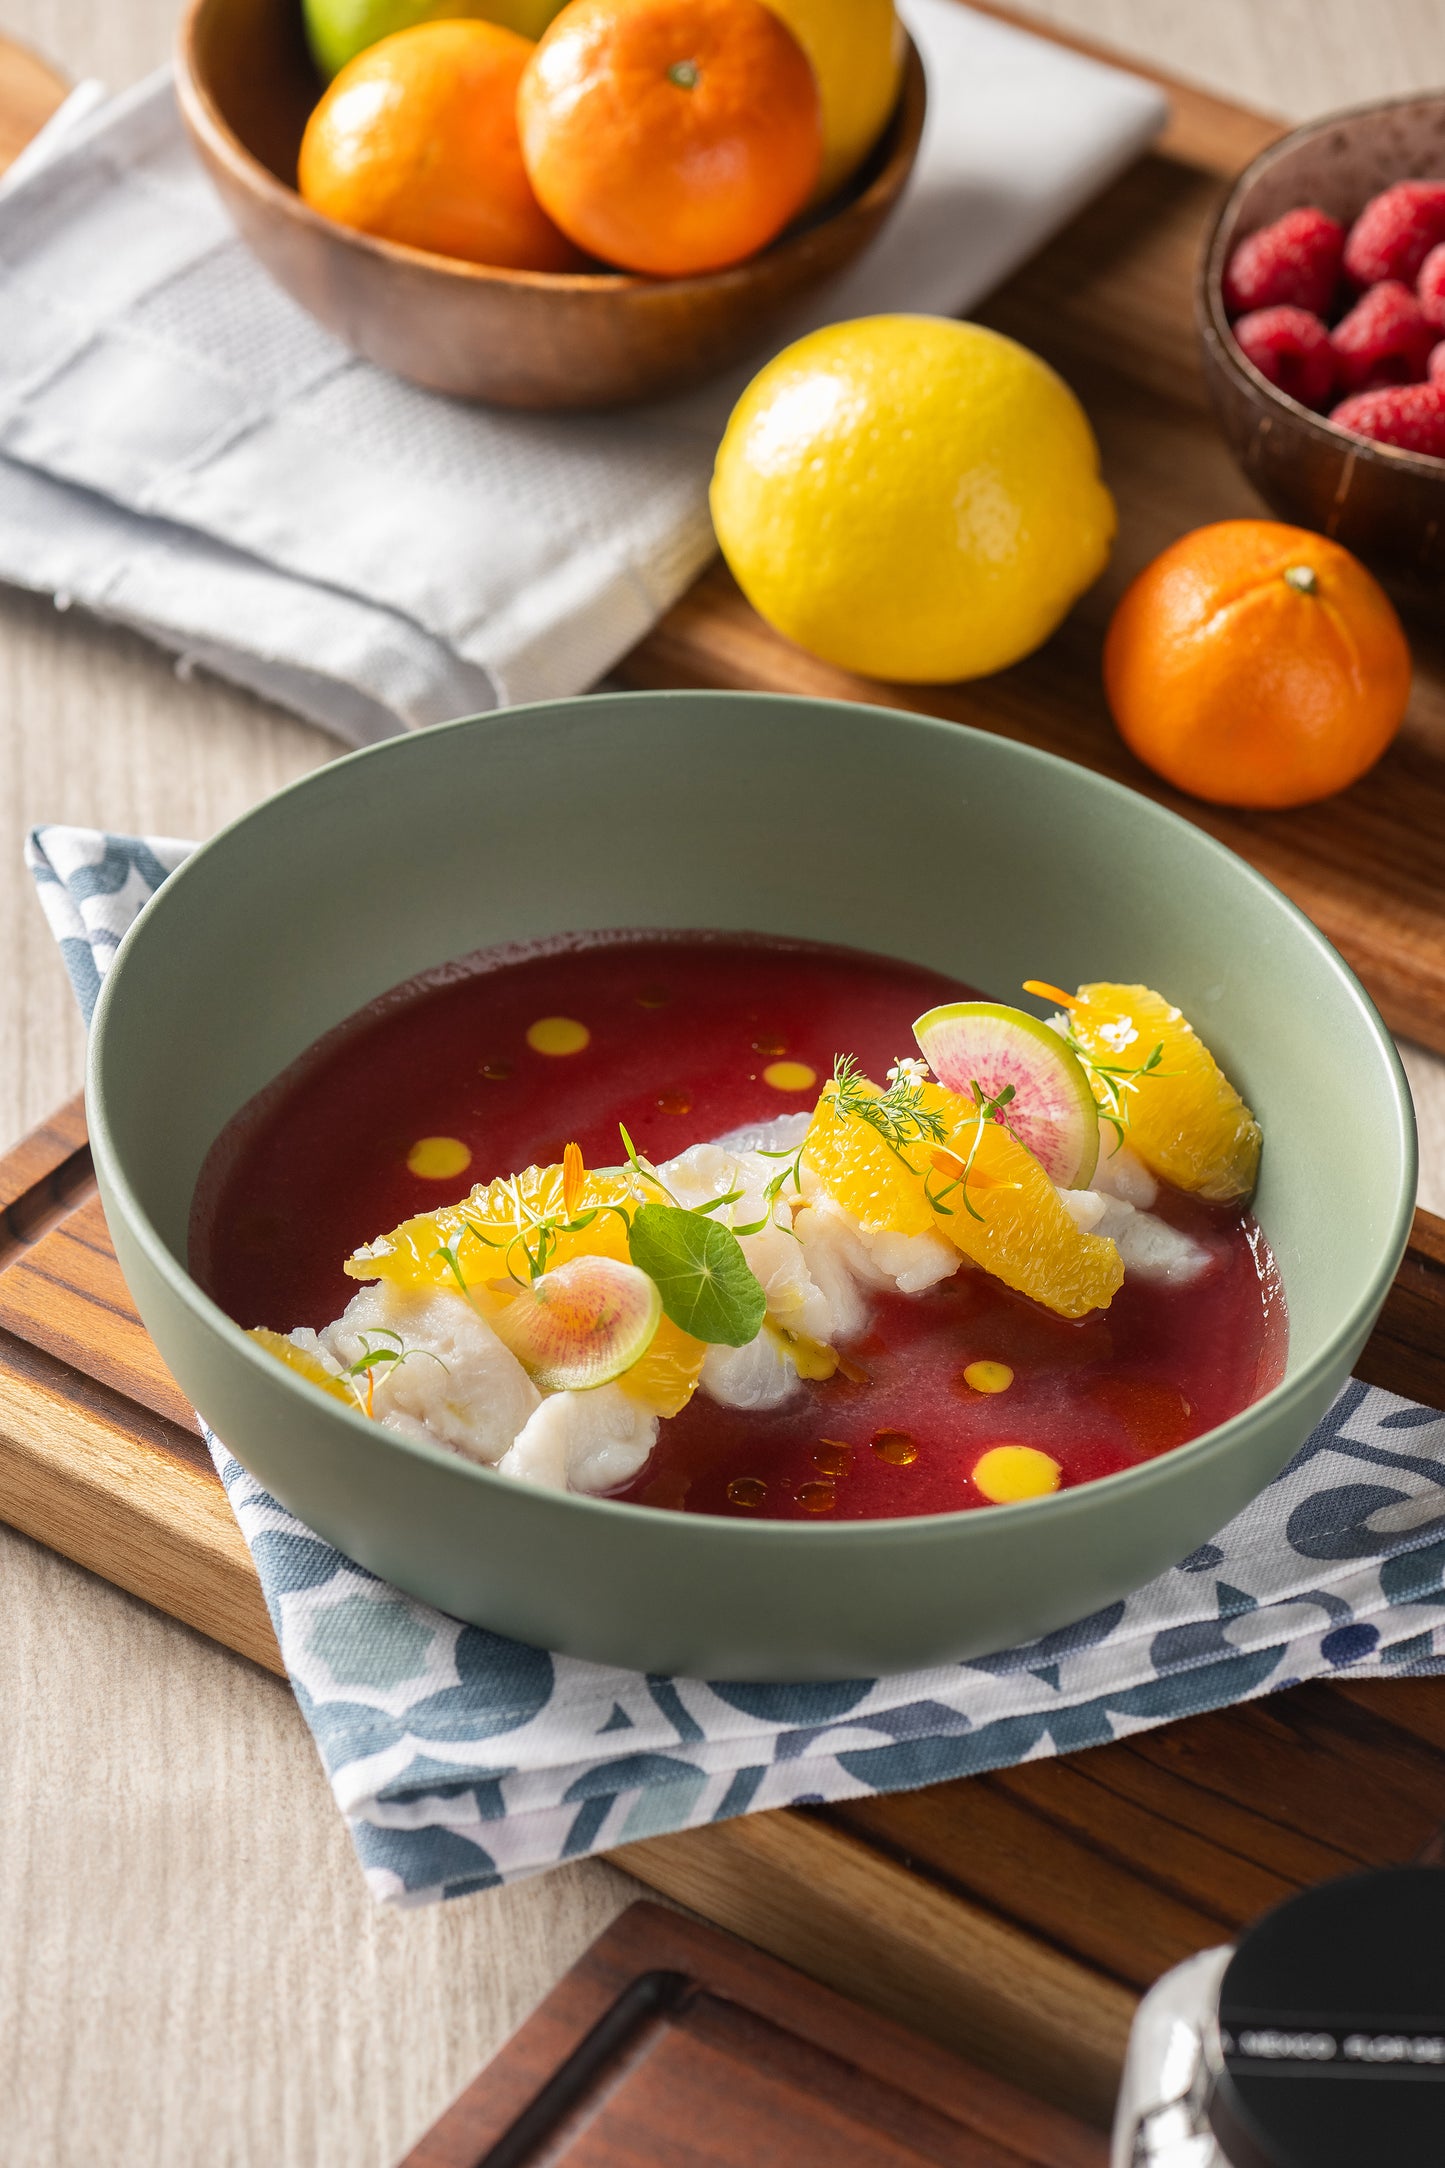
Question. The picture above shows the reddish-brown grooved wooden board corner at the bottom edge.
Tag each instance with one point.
(675, 2043)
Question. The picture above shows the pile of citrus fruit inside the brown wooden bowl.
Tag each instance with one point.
(666, 138)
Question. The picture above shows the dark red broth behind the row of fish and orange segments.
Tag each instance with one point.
(681, 1031)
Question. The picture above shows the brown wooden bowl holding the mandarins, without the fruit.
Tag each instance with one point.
(528, 339)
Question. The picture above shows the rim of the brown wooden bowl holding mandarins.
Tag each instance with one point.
(211, 127)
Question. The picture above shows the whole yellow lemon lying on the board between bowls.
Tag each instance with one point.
(911, 498)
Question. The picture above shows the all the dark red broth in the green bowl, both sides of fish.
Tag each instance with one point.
(681, 1031)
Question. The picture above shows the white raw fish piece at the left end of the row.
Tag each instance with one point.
(460, 1384)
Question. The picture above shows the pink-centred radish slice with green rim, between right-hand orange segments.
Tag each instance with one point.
(993, 1046)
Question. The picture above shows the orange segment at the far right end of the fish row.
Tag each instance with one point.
(1186, 1122)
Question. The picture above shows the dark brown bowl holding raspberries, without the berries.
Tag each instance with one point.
(1385, 504)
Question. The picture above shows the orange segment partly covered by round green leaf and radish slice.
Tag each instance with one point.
(484, 1235)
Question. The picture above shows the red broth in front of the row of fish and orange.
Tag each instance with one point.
(1099, 1395)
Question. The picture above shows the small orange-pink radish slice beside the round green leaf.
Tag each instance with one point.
(582, 1326)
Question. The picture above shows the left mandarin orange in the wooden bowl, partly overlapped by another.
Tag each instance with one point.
(417, 142)
